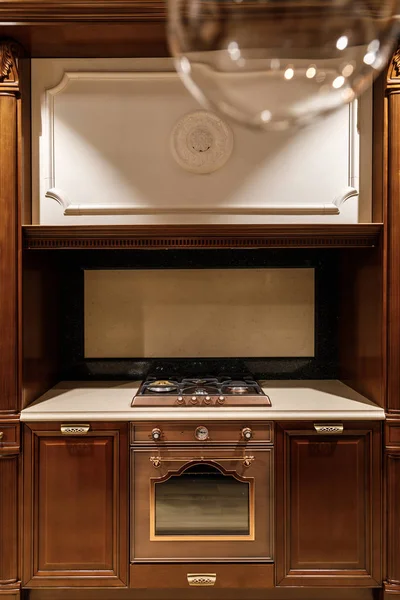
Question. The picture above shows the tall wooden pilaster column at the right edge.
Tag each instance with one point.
(392, 428)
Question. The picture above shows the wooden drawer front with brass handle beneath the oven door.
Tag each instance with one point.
(167, 576)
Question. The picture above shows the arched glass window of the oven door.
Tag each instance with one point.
(203, 502)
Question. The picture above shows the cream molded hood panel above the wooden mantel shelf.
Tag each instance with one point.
(102, 154)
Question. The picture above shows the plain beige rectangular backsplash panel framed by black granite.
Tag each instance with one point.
(182, 313)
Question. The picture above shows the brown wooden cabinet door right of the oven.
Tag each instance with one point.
(328, 506)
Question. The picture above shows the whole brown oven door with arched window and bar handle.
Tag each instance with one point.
(202, 504)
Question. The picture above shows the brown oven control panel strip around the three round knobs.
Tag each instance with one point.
(218, 432)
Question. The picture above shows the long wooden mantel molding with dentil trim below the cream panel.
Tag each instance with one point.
(201, 236)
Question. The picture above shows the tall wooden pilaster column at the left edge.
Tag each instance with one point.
(9, 329)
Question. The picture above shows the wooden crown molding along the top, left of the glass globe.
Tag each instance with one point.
(32, 11)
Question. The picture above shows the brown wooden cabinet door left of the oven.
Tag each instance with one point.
(75, 506)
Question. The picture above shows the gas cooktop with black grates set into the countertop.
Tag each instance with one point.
(201, 392)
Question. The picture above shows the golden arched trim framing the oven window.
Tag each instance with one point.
(202, 538)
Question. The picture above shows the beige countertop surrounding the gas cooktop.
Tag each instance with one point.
(291, 400)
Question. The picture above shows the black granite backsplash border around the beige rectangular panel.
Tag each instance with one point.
(322, 366)
